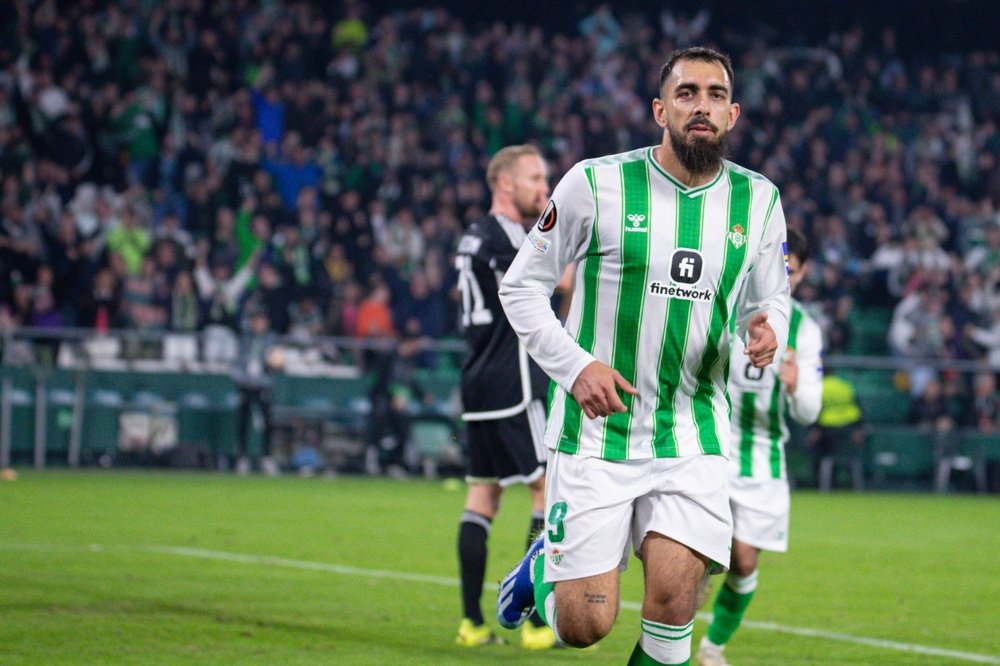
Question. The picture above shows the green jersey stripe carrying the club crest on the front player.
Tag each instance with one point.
(739, 216)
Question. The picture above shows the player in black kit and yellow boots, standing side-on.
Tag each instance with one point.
(502, 389)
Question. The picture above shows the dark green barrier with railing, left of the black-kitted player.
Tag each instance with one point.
(73, 396)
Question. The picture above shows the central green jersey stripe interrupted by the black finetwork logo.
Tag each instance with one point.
(675, 333)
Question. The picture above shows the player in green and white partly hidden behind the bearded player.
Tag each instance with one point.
(763, 401)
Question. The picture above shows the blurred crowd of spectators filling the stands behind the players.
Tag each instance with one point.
(178, 164)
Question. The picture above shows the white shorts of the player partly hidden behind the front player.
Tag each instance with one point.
(760, 512)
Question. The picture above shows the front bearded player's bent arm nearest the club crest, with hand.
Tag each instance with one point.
(766, 289)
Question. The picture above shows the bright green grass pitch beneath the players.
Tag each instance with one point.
(127, 567)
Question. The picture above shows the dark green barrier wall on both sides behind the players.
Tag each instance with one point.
(72, 397)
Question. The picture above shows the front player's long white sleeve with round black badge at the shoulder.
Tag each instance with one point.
(559, 238)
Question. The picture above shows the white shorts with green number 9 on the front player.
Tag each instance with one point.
(597, 509)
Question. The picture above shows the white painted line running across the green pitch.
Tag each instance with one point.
(339, 569)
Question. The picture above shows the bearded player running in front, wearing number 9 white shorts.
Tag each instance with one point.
(671, 243)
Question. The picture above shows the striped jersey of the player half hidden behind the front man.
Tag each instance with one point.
(762, 405)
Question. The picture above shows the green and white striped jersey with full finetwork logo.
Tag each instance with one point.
(660, 271)
